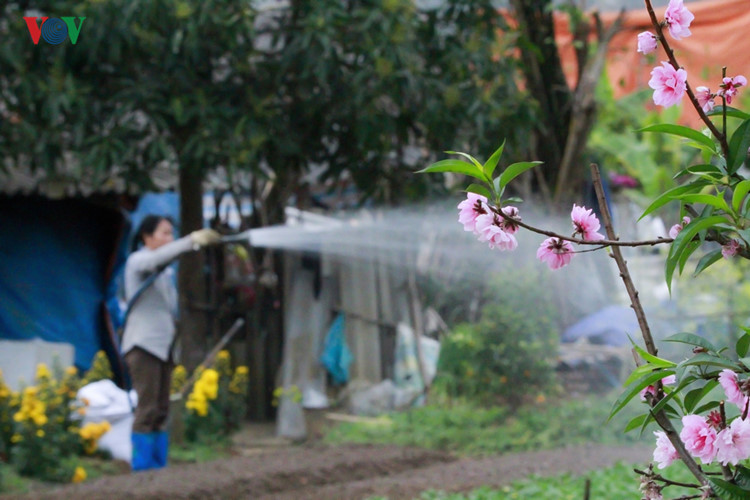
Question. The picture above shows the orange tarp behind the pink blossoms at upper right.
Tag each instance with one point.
(719, 38)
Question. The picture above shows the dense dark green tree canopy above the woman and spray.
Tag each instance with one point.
(197, 84)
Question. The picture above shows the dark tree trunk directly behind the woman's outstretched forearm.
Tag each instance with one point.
(192, 280)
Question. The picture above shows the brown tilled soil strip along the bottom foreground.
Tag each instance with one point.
(340, 473)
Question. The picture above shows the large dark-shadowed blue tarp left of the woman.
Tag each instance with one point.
(55, 256)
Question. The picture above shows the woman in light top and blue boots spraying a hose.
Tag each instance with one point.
(150, 330)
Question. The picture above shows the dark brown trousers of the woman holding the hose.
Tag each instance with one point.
(151, 378)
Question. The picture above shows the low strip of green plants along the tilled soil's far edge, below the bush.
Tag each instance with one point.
(471, 429)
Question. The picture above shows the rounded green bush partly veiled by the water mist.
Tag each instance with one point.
(508, 354)
